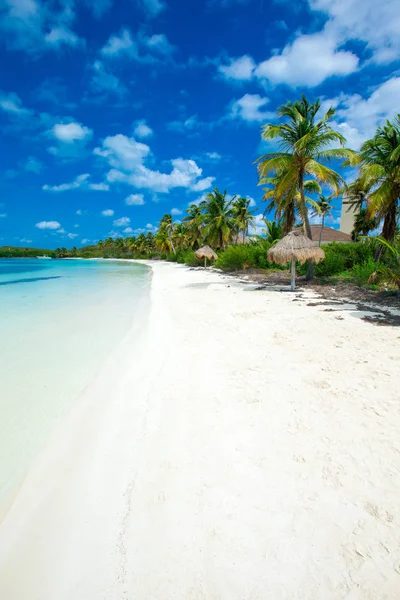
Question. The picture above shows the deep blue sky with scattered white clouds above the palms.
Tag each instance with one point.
(114, 112)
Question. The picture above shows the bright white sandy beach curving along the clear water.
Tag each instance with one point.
(243, 446)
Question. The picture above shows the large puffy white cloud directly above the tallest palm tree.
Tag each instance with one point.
(308, 61)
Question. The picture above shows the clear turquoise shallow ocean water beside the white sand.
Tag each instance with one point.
(59, 321)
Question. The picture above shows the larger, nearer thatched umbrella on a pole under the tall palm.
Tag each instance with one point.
(295, 246)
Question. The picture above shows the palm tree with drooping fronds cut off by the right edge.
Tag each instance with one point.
(380, 172)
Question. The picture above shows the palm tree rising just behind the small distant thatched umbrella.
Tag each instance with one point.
(219, 221)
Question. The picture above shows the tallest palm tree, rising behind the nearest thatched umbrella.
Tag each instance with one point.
(305, 141)
